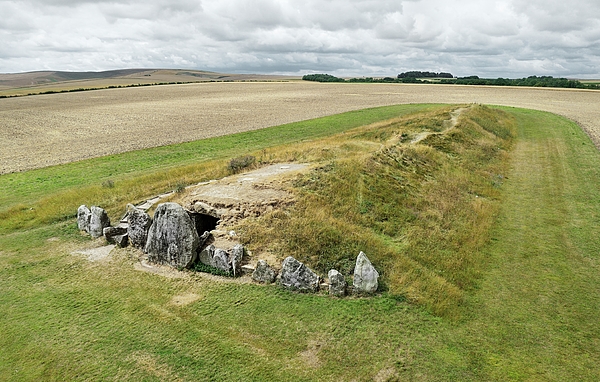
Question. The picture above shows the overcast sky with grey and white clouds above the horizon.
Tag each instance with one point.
(489, 38)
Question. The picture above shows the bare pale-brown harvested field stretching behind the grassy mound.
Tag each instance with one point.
(44, 130)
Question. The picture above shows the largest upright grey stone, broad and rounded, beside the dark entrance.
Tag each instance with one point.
(172, 237)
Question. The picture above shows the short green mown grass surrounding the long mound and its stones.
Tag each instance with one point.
(529, 314)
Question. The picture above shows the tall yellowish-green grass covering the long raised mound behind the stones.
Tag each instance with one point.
(420, 209)
